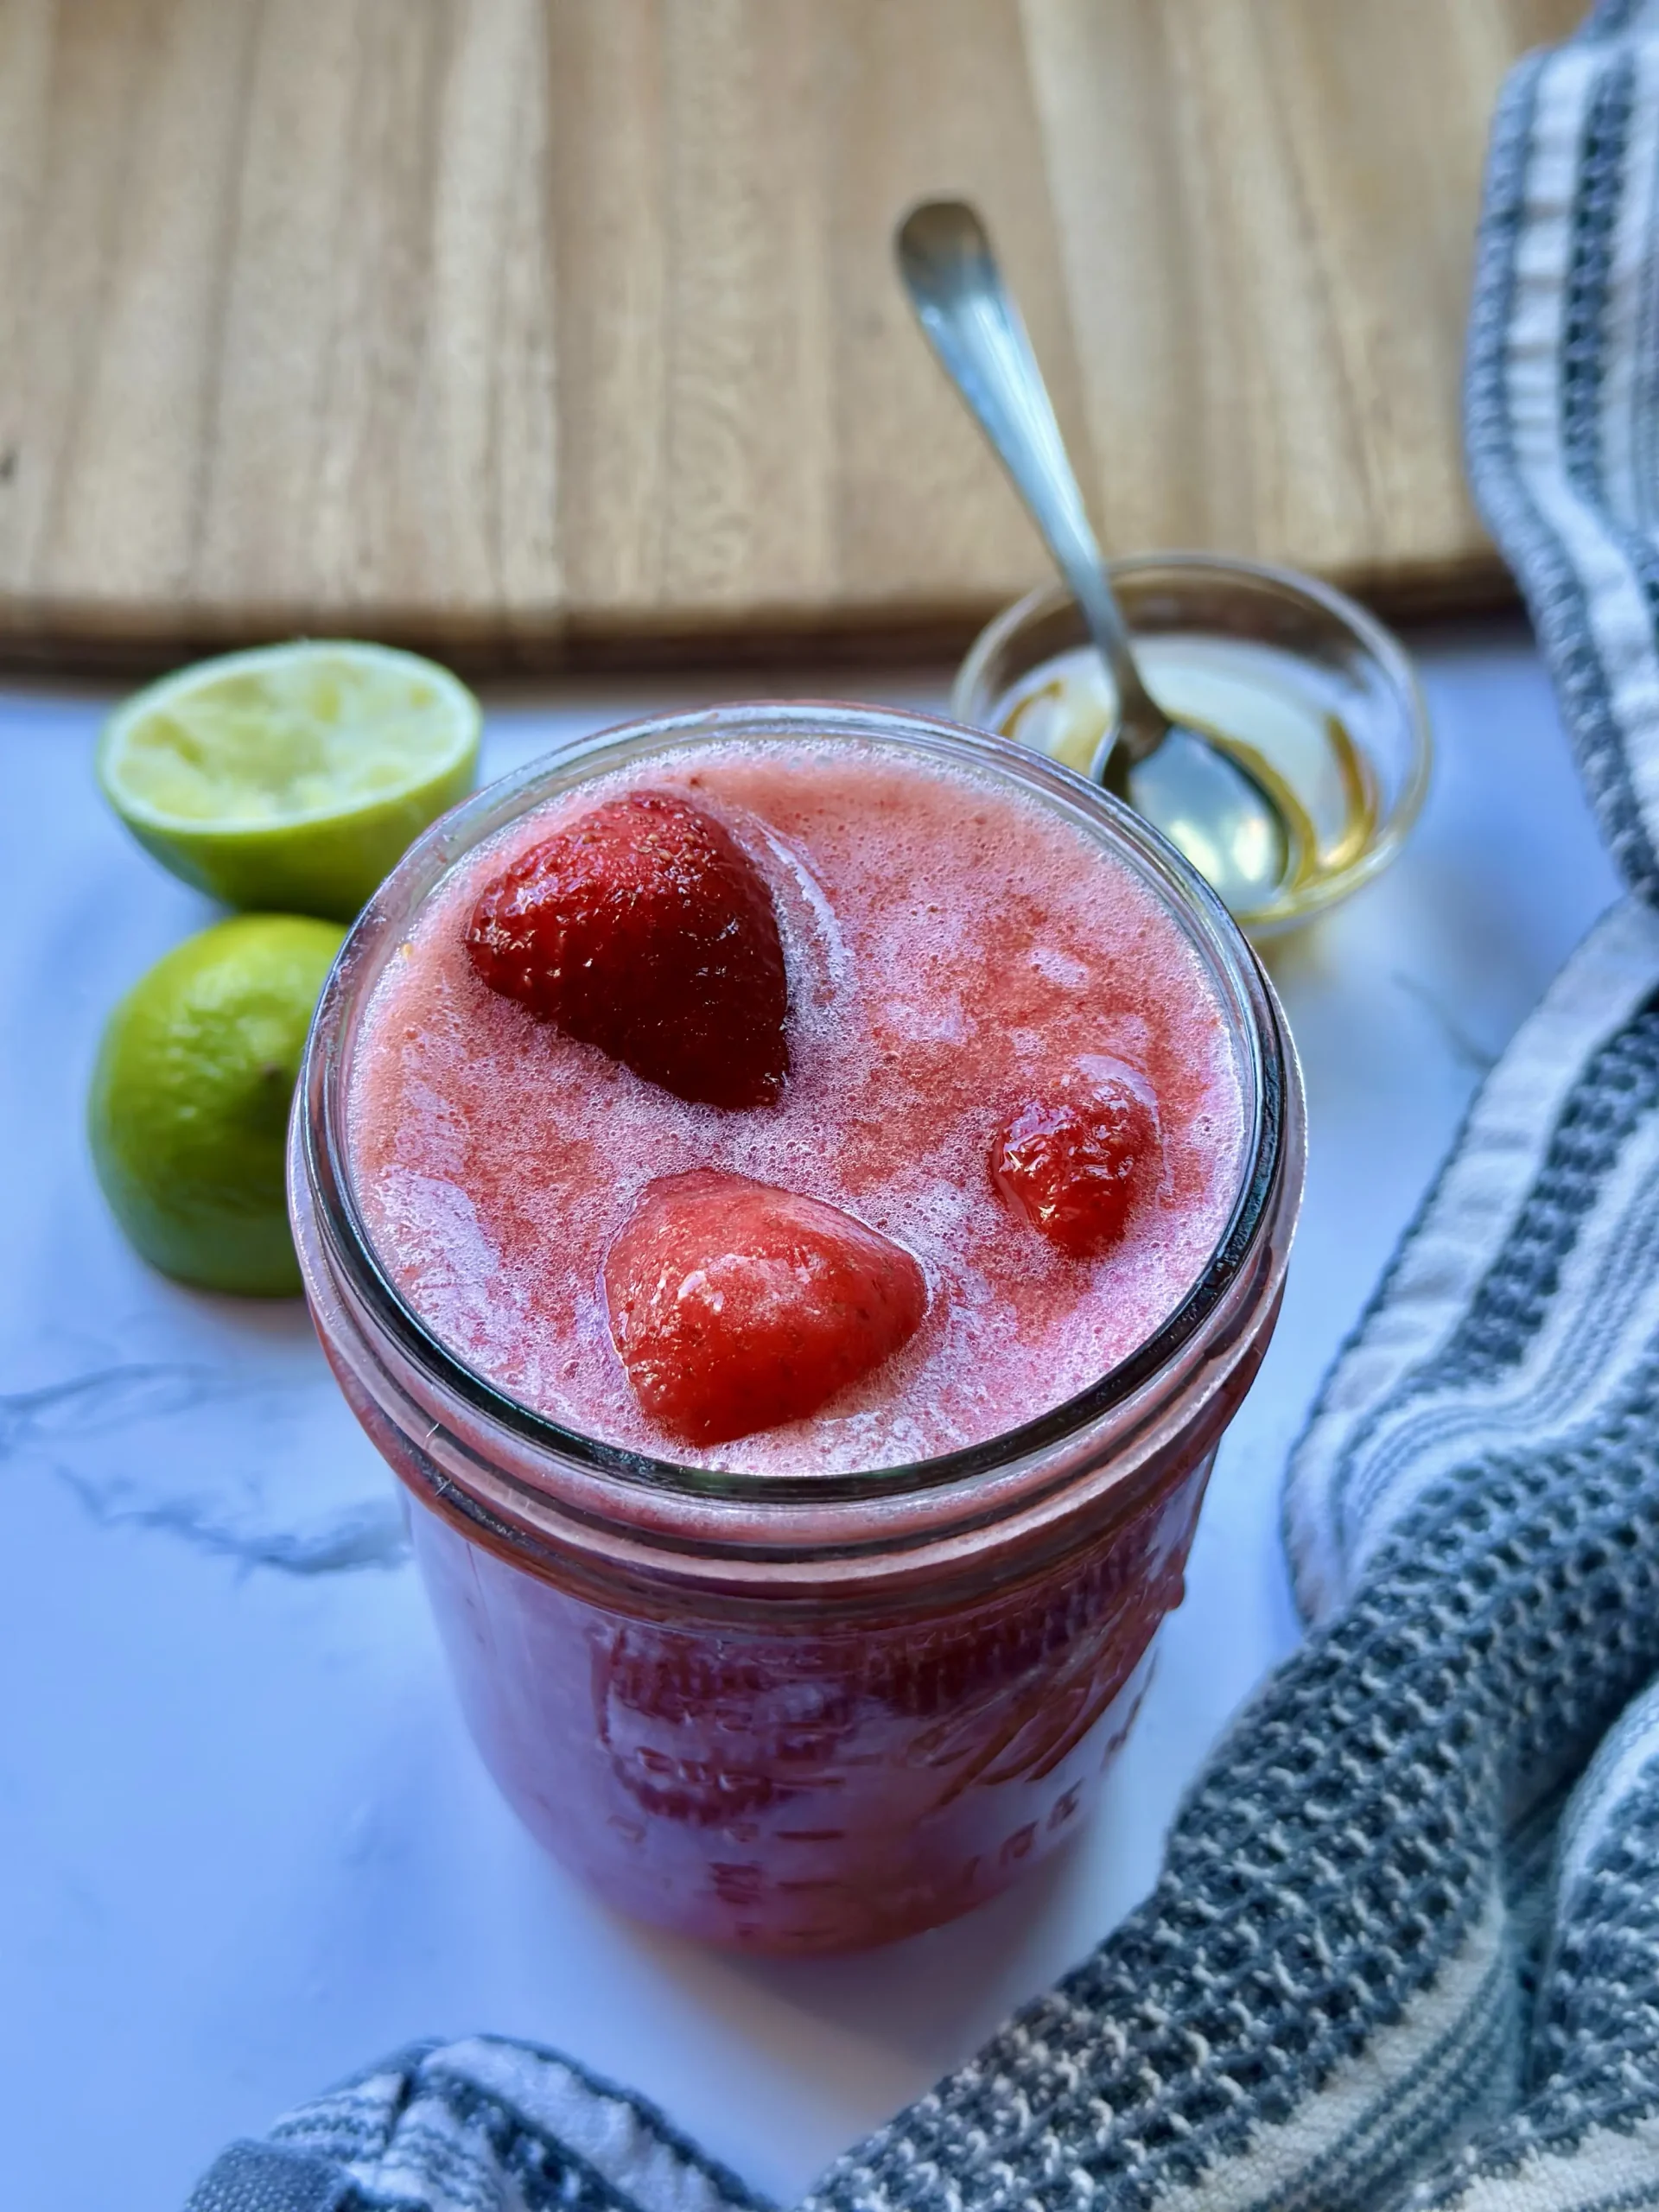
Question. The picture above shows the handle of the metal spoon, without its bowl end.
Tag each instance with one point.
(974, 326)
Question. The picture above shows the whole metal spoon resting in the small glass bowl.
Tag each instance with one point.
(1173, 773)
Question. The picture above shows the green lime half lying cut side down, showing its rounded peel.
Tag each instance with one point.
(189, 1109)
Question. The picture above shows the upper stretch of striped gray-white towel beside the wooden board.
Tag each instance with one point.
(1563, 395)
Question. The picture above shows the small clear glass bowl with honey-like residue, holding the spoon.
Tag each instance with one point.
(1331, 700)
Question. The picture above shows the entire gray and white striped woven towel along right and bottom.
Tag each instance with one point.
(1406, 1943)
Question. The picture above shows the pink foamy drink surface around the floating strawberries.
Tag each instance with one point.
(954, 952)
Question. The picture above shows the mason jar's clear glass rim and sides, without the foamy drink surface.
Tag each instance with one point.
(802, 1713)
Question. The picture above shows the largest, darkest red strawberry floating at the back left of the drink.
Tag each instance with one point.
(647, 930)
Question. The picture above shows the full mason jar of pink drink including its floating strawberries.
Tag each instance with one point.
(802, 1477)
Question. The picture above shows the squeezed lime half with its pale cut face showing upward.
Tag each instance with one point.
(293, 778)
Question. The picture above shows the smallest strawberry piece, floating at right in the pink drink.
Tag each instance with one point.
(1078, 1167)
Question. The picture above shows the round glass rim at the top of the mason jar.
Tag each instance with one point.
(322, 1098)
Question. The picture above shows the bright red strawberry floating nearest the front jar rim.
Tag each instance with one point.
(738, 1306)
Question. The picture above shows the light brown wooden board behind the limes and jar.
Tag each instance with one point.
(550, 331)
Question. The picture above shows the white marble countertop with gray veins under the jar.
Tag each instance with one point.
(244, 1844)
